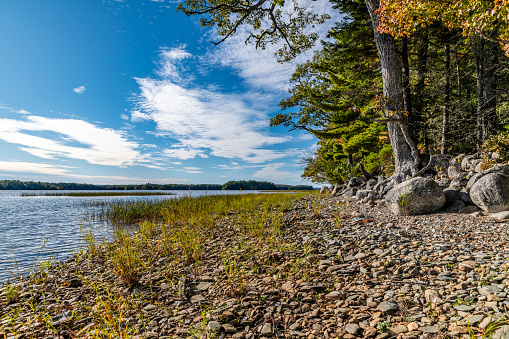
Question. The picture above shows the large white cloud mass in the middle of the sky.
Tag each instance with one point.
(199, 119)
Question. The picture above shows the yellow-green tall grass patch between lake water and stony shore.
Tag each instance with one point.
(179, 228)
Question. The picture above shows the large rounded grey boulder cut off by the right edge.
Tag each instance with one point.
(491, 191)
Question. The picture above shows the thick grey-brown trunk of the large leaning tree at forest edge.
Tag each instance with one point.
(406, 155)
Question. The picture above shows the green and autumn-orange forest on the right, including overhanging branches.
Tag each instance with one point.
(394, 82)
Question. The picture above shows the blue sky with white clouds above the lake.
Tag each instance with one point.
(134, 92)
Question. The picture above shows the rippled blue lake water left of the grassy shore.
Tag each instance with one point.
(36, 228)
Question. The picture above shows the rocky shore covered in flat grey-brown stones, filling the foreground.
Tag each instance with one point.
(340, 271)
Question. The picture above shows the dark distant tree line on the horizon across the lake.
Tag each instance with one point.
(231, 185)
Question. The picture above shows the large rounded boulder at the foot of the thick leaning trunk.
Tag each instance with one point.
(415, 196)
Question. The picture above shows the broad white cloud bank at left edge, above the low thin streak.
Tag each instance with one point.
(101, 146)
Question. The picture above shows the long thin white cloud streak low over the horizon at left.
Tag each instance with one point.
(63, 171)
